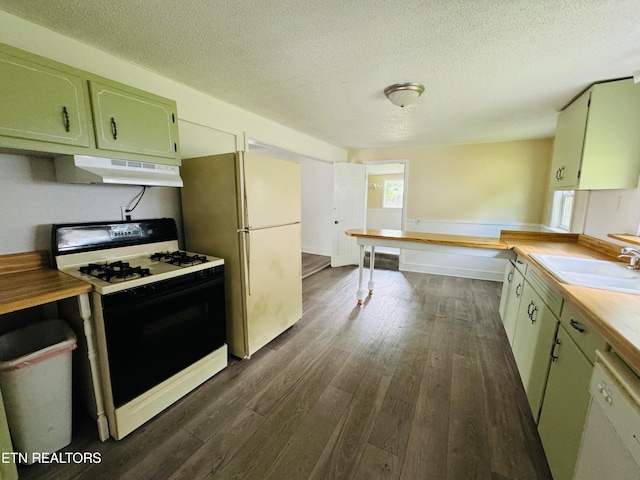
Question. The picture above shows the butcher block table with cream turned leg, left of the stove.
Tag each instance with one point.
(27, 280)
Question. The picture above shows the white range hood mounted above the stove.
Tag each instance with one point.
(86, 169)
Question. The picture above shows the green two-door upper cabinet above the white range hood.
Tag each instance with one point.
(56, 109)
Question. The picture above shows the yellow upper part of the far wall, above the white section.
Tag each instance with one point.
(504, 182)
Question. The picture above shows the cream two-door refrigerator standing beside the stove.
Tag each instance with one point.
(246, 209)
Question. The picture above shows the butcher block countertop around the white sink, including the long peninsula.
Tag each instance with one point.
(615, 316)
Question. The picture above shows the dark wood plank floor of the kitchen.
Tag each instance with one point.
(418, 383)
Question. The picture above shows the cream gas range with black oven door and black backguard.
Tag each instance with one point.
(158, 313)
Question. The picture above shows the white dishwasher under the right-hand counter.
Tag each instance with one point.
(610, 446)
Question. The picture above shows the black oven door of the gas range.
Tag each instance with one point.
(154, 331)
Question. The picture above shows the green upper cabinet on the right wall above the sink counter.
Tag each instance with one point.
(597, 145)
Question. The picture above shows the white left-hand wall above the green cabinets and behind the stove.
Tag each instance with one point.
(32, 200)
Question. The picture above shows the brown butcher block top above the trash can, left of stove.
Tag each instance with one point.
(27, 280)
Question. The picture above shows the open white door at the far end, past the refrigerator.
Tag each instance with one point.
(349, 201)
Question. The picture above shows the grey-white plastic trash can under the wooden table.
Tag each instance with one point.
(35, 380)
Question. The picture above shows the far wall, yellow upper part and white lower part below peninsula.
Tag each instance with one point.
(476, 189)
